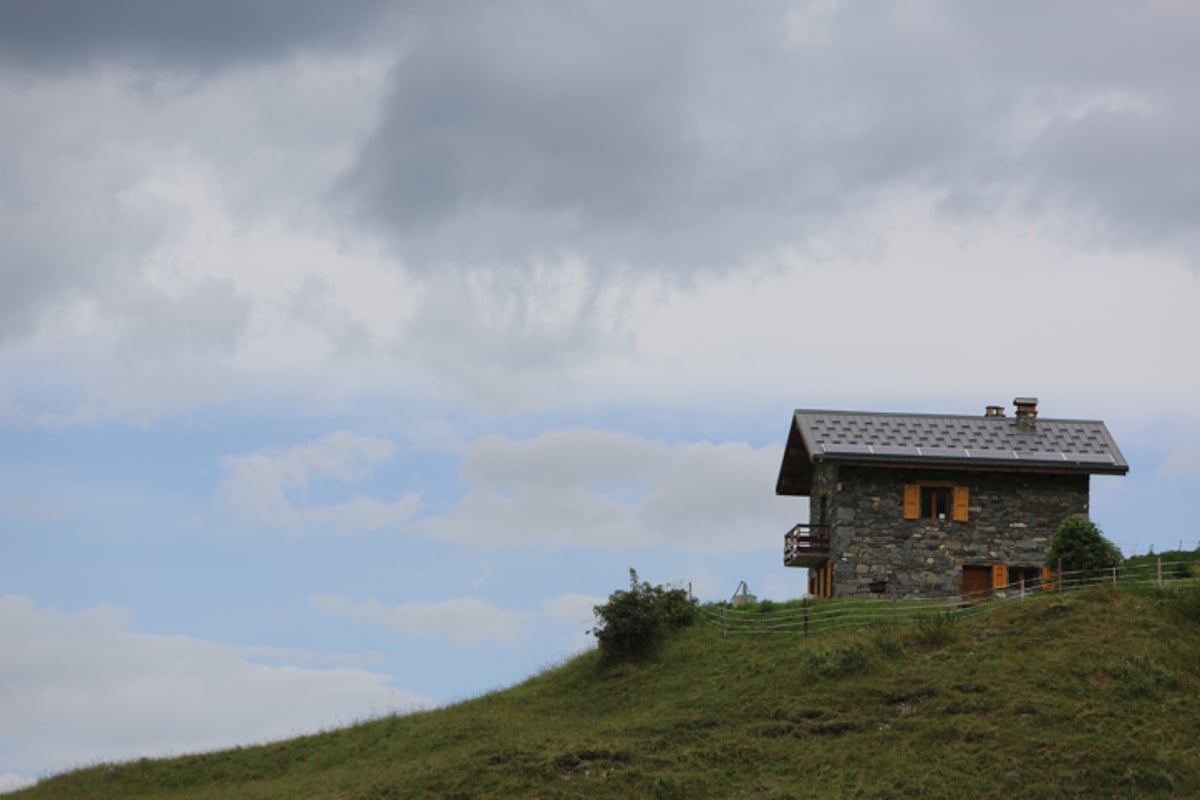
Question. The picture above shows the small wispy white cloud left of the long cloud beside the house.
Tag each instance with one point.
(260, 486)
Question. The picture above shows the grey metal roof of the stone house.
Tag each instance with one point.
(944, 441)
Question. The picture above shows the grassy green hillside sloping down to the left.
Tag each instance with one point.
(1088, 694)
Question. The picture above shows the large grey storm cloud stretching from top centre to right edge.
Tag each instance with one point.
(694, 136)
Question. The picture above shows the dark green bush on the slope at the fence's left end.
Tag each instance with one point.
(634, 623)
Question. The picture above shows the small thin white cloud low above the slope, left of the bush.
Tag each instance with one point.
(463, 622)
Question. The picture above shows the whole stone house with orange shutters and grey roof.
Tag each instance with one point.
(935, 504)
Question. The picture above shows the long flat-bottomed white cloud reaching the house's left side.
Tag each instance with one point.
(596, 489)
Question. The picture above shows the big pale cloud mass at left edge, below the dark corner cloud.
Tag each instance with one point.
(184, 202)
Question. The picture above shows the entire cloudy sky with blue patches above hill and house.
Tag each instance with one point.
(351, 352)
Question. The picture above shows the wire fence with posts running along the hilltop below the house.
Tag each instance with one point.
(812, 616)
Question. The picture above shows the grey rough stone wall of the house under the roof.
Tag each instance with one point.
(1012, 518)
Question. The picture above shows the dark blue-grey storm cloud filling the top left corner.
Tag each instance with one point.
(67, 34)
